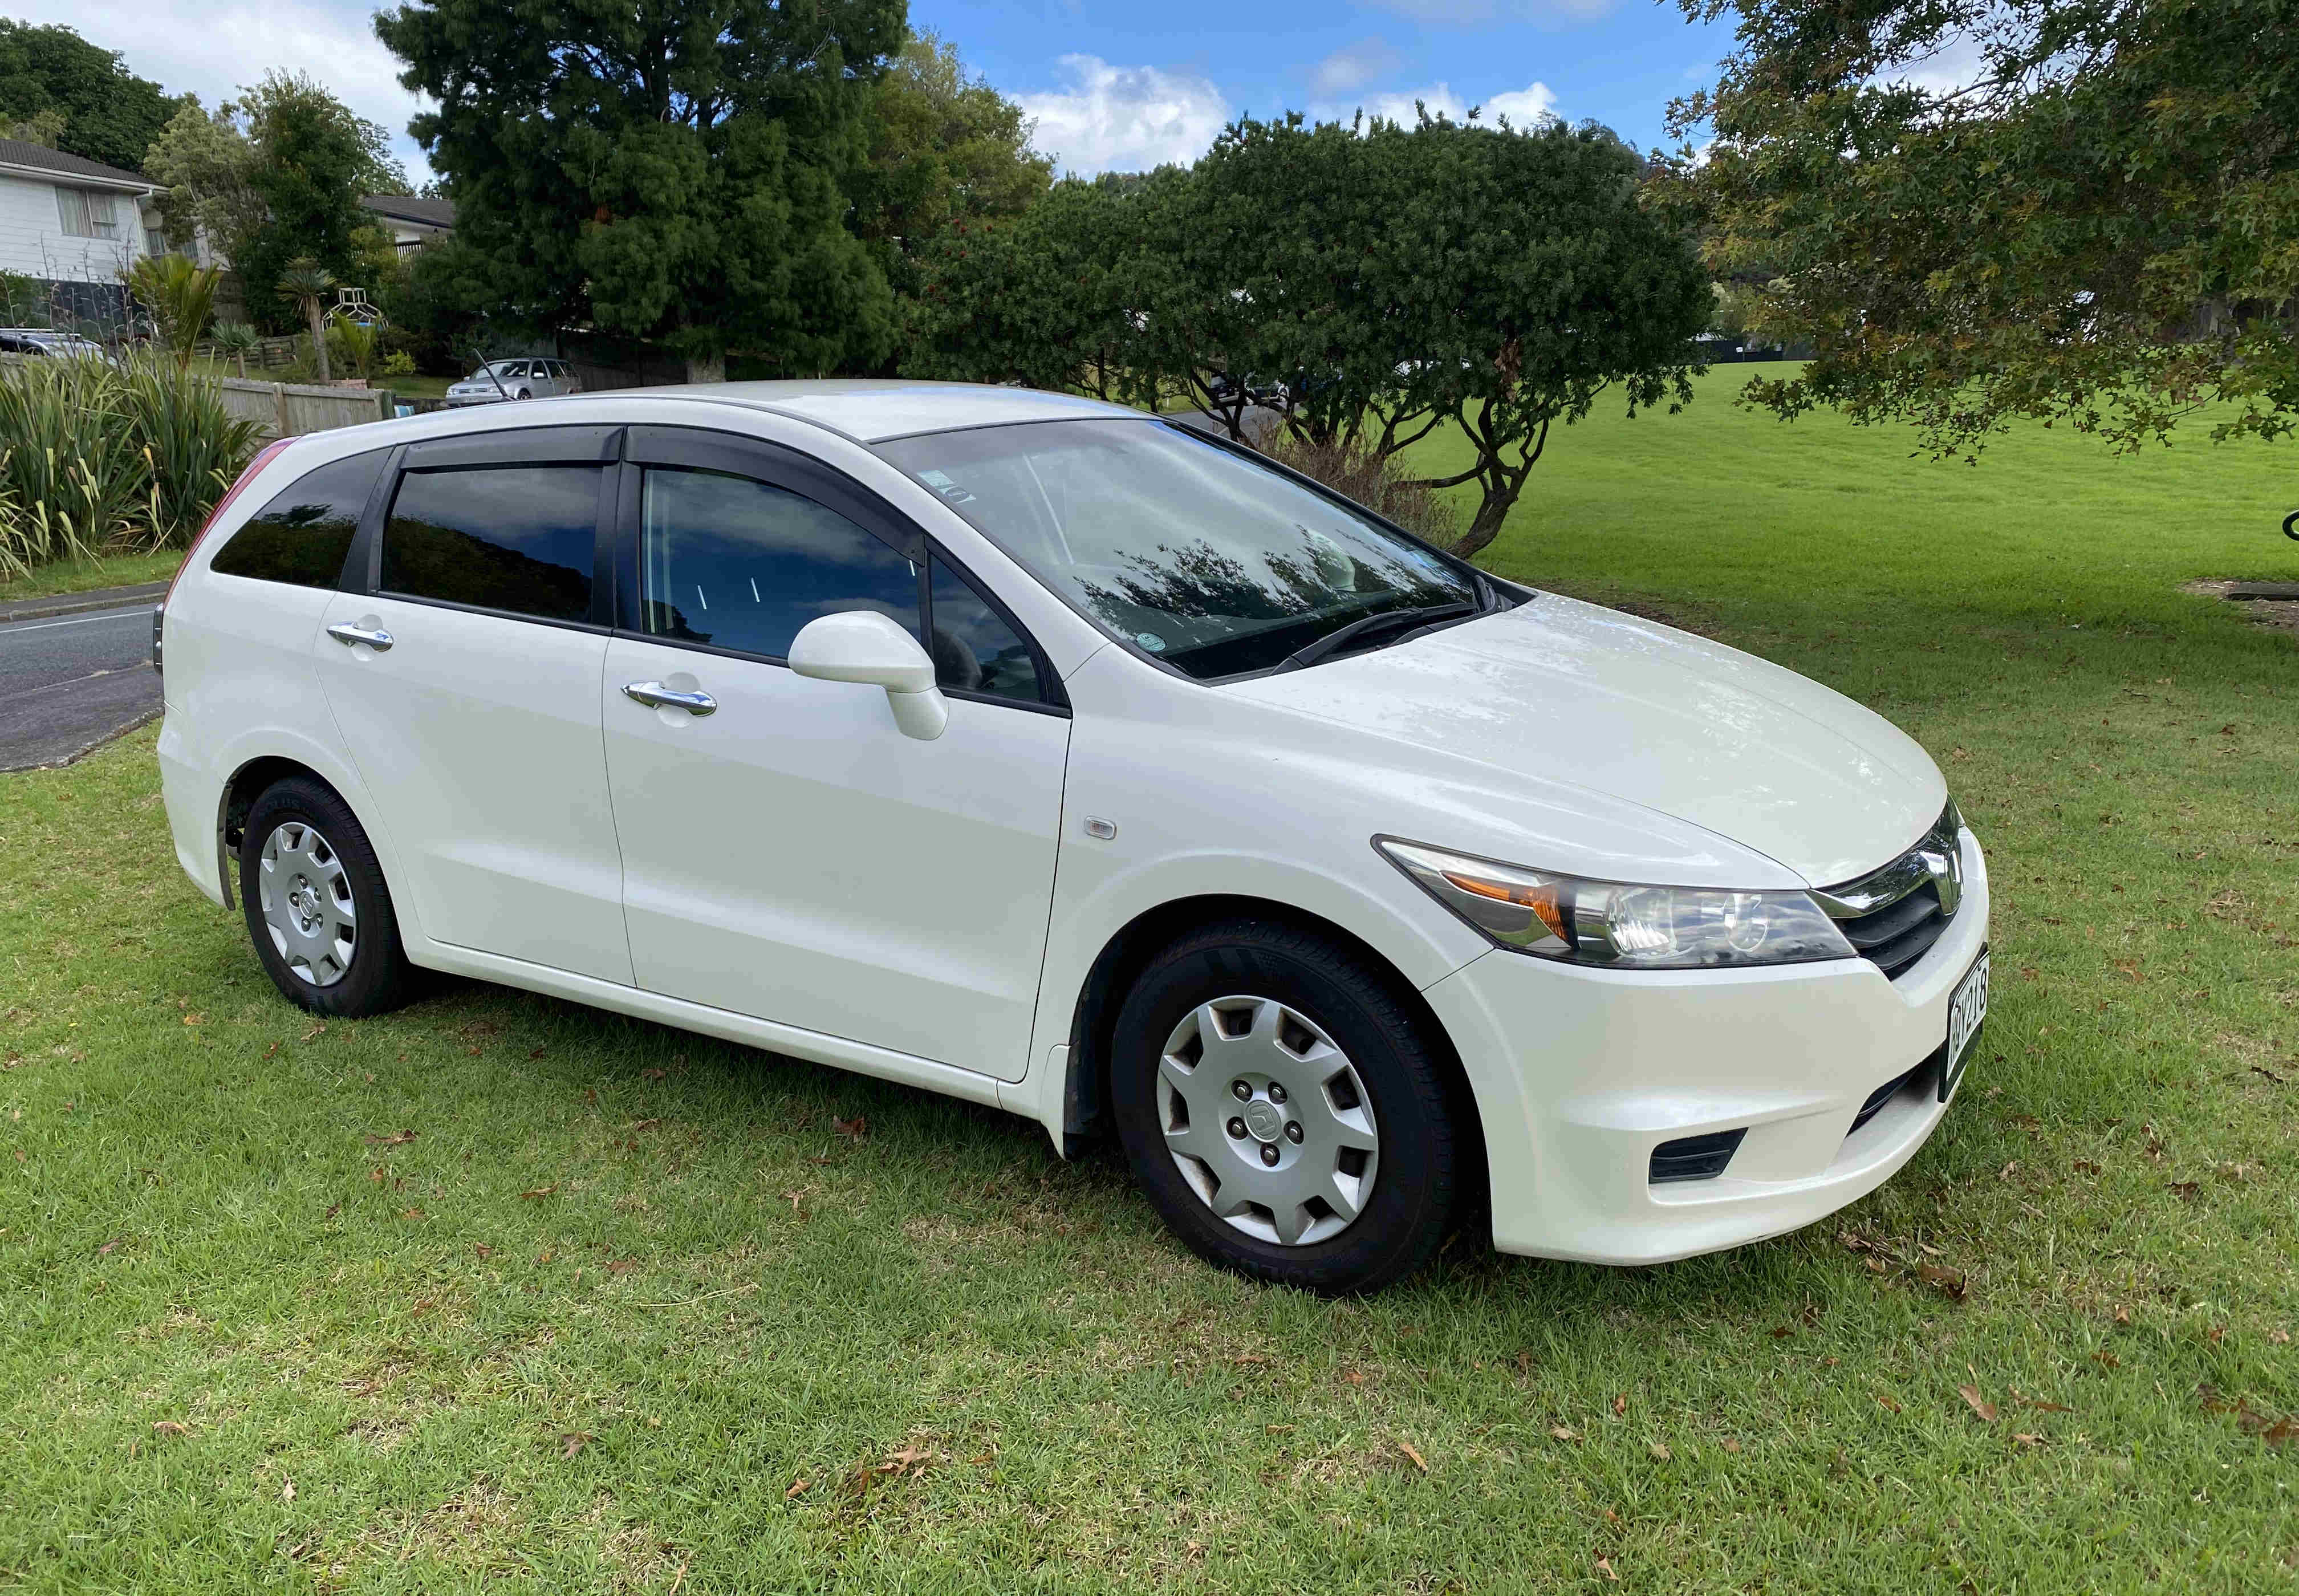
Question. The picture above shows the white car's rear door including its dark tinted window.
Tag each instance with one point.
(466, 677)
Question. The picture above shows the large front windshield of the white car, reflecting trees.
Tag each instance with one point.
(1183, 548)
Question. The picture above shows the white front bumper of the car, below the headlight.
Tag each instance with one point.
(1583, 1073)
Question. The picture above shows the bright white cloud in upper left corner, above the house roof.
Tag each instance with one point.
(220, 49)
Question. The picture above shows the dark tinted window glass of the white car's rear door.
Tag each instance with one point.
(516, 539)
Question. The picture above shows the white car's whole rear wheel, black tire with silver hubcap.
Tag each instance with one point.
(325, 877)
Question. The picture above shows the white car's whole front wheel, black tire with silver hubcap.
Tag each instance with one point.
(1307, 1027)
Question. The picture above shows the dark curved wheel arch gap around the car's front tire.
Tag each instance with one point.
(1086, 1091)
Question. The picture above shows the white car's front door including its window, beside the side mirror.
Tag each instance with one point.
(792, 854)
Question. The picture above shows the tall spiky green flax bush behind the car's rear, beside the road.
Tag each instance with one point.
(100, 459)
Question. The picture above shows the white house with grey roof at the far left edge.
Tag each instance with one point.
(77, 227)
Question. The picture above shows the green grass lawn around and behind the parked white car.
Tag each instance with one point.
(507, 1294)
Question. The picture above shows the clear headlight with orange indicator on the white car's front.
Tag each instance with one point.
(1622, 926)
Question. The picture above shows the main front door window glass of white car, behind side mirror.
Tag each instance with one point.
(744, 565)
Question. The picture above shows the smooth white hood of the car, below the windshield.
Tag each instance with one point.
(1569, 693)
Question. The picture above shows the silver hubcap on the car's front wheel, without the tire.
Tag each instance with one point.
(1268, 1121)
